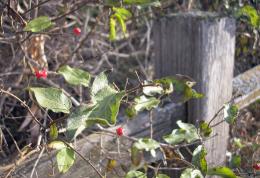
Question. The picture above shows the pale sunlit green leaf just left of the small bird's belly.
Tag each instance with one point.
(141, 103)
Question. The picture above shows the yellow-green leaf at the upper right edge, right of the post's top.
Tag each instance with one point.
(251, 13)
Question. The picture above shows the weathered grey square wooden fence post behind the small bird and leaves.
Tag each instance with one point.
(201, 45)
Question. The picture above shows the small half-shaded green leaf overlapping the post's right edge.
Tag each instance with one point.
(230, 113)
